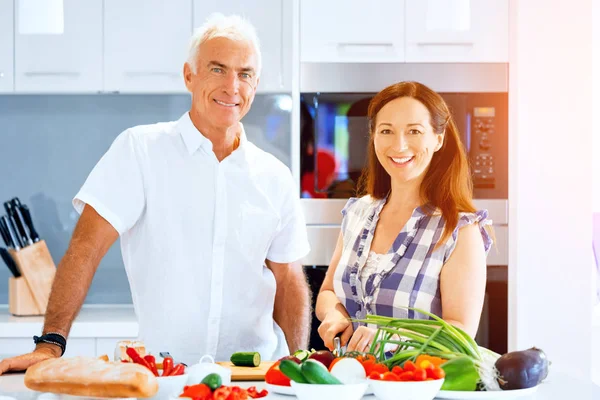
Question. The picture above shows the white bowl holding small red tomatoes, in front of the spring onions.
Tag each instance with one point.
(392, 390)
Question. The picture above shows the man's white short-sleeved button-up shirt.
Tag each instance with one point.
(194, 237)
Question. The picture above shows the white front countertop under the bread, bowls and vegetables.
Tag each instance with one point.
(556, 387)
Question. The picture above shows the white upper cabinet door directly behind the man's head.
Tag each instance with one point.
(272, 20)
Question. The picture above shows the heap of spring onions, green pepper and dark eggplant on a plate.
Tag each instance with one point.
(467, 366)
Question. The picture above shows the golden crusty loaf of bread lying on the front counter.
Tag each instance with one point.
(91, 377)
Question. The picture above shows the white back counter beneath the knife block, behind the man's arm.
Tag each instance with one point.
(93, 321)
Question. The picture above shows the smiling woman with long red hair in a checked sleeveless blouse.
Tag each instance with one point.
(414, 239)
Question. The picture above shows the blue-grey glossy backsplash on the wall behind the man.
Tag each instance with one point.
(50, 143)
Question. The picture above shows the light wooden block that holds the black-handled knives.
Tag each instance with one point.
(28, 295)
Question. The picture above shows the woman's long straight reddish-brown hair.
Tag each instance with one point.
(447, 184)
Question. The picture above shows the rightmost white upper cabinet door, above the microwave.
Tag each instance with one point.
(457, 31)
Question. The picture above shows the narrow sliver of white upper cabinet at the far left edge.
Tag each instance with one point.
(6, 46)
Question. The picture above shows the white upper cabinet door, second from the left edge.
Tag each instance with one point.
(67, 62)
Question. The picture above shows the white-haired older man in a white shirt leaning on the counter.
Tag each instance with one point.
(211, 227)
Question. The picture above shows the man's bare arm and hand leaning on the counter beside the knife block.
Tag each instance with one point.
(91, 239)
